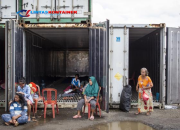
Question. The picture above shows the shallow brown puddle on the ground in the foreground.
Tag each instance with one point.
(120, 126)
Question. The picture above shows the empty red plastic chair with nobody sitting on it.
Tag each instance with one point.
(49, 100)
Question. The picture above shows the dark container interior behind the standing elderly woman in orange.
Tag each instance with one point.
(144, 51)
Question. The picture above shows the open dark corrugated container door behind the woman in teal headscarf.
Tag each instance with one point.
(99, 59)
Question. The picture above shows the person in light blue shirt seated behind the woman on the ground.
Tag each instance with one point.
(24, 89)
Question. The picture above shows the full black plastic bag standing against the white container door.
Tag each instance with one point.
(125, 101)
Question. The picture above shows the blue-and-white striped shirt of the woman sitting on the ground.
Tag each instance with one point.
(16, 109)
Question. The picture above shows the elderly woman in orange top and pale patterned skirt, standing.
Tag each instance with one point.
(145, 84)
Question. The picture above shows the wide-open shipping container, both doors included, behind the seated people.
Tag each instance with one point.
(55, 53)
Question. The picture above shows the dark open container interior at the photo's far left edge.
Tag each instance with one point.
(2, 65)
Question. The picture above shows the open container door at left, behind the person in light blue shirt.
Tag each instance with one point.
(13, 58)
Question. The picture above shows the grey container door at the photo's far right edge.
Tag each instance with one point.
(173, 66)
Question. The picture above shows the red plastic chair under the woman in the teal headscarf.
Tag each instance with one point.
(97, 106)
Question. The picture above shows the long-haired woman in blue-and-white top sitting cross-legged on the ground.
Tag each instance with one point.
(18, 111)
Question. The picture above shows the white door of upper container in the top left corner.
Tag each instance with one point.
(7, 9)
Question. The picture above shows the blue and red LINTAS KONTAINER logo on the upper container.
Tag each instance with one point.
(26, 13)
